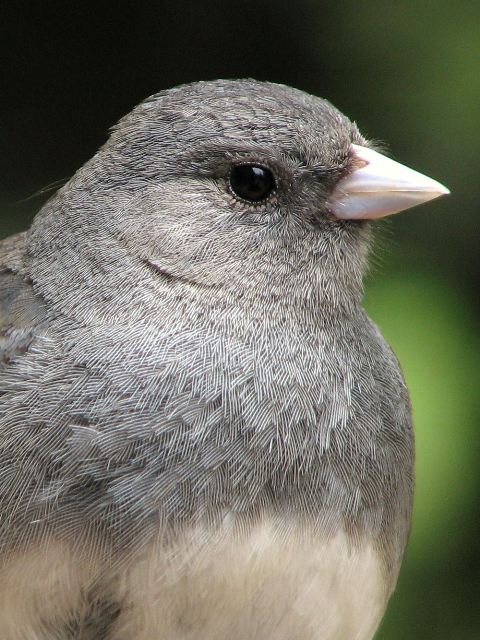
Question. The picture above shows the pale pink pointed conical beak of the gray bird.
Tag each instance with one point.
(380, 187)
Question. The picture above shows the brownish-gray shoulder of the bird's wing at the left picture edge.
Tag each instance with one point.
(21, 310)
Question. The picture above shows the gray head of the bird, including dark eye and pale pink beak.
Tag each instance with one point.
(242, 187)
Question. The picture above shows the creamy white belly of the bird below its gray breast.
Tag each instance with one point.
(259, 588)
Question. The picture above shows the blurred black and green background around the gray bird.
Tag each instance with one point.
(409, 74)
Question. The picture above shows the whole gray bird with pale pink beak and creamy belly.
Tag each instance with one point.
(202, 433)
